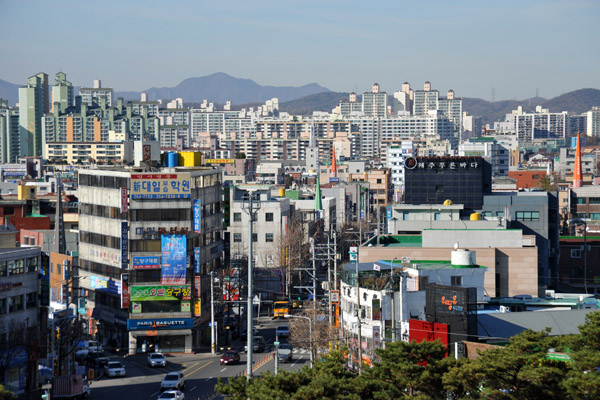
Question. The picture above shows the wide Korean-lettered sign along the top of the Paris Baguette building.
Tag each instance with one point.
(160, 186)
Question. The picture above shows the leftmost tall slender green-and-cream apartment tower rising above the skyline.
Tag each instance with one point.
(33, 104)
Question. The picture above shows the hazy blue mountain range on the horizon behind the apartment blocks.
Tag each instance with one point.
(302, 100)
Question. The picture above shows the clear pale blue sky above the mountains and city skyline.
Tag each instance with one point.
(513, 49)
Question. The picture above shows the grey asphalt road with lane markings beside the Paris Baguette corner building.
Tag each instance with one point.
(201, 370)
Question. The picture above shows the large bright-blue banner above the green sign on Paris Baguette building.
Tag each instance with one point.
(174, 257)
